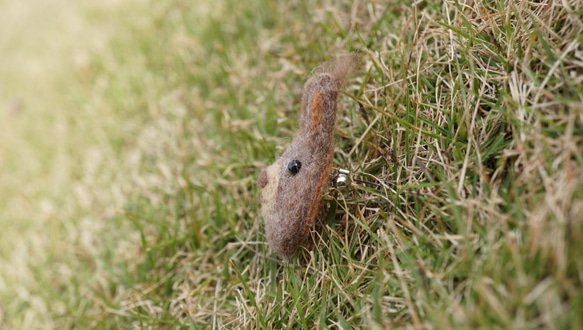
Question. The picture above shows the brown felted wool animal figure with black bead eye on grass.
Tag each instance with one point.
(292, 187)
